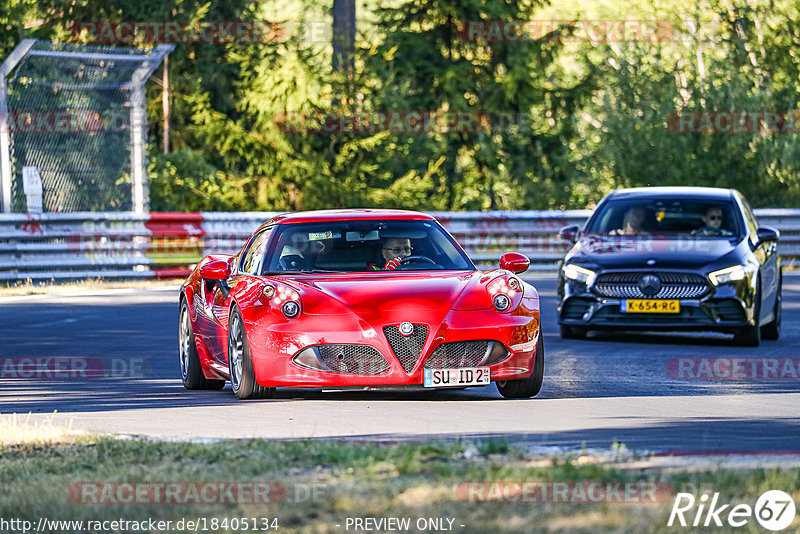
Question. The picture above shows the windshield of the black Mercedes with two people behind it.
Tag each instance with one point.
(667, 217)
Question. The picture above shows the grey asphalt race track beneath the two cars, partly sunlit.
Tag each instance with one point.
(609, 388)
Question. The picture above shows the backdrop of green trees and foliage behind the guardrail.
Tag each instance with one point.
(565, 122)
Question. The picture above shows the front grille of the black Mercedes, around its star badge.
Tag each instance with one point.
(673, 285)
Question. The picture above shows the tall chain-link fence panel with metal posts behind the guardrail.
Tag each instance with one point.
(75, 126)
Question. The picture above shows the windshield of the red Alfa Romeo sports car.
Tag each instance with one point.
(363, 246)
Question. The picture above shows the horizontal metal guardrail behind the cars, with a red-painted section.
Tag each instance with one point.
(131, 245)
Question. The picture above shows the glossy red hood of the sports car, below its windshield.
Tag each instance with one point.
(407, 296)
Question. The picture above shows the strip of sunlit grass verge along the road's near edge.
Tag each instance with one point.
(326, 482)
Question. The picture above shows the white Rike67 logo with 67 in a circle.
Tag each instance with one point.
(774, 510)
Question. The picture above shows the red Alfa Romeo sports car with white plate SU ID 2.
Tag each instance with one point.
(358, 298)
